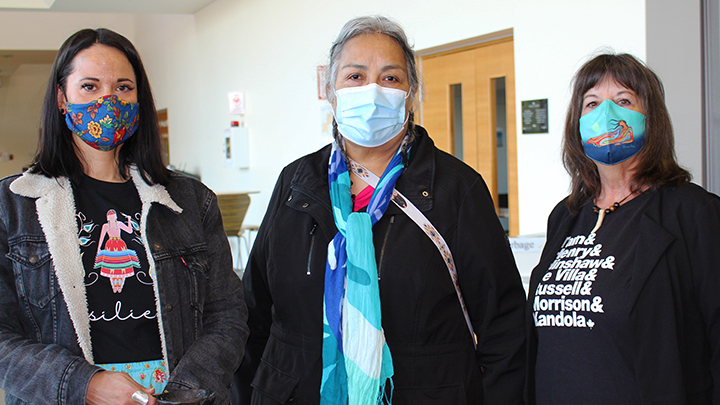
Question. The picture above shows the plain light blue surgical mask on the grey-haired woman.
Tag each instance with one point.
(370, 115)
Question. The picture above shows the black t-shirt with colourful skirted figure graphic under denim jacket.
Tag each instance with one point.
(120, 292)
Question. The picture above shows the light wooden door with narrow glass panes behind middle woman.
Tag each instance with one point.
(468, 108)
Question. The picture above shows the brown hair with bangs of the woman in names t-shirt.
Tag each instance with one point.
(657, 165)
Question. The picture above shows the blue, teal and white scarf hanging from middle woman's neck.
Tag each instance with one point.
(356, 359)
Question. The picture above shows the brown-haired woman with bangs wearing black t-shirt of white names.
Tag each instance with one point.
(624, 306)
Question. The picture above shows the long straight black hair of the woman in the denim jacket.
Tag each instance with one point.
(57, 153)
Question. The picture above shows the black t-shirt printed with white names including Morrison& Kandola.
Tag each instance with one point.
(580, 310)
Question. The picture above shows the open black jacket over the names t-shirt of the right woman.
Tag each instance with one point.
(675, 295)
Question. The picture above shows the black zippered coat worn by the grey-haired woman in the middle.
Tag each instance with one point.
(429, 340)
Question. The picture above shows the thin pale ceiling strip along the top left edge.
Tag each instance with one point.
(108, 6)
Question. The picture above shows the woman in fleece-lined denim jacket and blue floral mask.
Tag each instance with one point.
(116, 277)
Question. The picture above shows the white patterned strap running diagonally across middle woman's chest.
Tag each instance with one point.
(426, 226)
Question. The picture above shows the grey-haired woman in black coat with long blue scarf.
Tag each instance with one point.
(381, 273)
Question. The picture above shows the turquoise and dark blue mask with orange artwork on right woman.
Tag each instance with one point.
(612, 134)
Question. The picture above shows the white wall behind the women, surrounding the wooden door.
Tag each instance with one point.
(269, 49)
